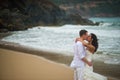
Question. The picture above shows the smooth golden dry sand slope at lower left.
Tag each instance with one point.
(20, 66)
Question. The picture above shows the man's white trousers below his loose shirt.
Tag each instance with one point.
(78, 73)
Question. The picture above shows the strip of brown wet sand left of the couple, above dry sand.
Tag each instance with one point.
(60, 58)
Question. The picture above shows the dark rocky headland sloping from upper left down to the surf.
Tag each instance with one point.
(22, 14)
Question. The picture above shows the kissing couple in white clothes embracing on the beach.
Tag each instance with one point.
(85, 46)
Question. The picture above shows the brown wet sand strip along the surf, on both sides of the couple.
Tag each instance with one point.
(111, 71)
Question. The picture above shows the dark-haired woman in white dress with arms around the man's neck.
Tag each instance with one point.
(91, 48)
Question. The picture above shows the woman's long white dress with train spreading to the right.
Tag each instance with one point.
(88, 71)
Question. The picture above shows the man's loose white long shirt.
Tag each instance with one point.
(79, 53)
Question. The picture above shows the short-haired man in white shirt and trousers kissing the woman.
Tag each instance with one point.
(79, 59)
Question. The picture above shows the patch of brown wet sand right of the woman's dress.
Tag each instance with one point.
(112, 71)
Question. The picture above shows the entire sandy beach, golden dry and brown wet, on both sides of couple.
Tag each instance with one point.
(24, 63)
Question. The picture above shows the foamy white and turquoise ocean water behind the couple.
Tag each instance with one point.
(61, 39)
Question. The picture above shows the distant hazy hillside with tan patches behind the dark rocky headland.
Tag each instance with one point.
(91, 8)
